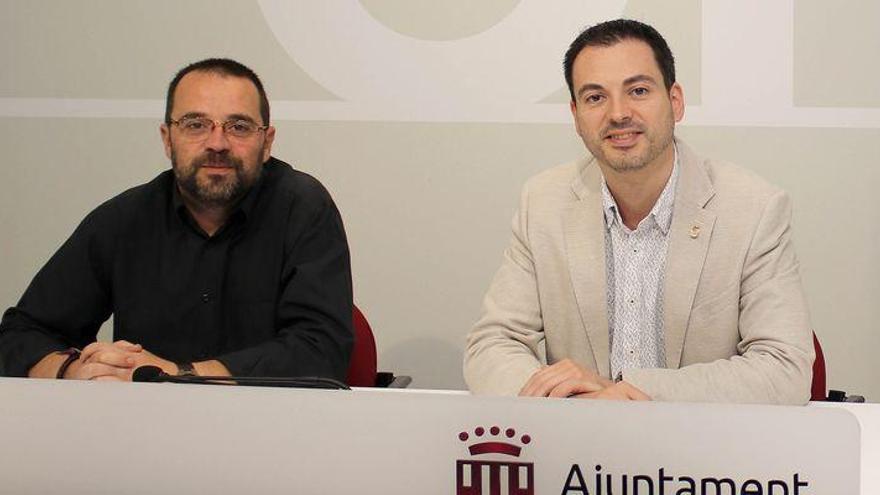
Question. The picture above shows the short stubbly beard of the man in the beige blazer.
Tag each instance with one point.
(656, 142)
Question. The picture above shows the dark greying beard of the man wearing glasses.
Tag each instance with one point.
(215, 190)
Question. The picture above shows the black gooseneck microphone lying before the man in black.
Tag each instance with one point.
(154, 374)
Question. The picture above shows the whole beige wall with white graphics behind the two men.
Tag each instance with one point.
(423, 118)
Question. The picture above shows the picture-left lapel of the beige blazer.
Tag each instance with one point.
(583, 224)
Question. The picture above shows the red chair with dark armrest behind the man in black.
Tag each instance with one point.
(362, 369)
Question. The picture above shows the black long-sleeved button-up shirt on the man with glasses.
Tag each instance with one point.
(268, 295)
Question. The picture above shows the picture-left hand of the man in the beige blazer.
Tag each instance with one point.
(563, 379)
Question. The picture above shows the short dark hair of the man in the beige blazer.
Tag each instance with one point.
(612, 32)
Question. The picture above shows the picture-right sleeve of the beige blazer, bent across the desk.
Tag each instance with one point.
(775, 353)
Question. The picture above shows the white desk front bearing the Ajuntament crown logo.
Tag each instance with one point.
(87, 437)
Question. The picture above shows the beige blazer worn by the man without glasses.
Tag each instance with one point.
(735, 319)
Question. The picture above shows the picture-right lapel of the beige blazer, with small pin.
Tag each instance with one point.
(689, 238)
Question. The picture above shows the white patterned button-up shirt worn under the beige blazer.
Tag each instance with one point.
(635, 262)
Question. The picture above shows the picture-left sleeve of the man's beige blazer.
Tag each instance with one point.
(502, 348)
